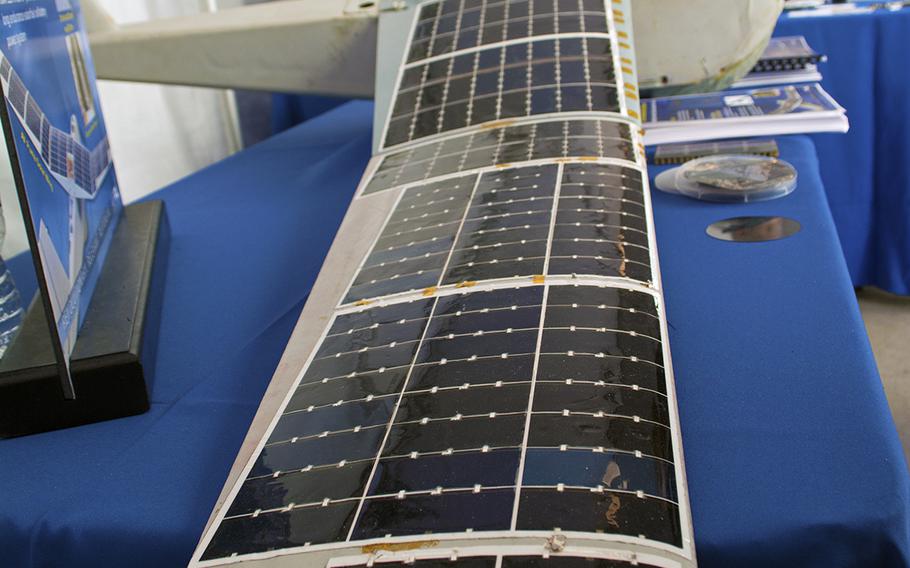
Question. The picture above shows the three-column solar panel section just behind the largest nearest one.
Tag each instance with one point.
(476, 232)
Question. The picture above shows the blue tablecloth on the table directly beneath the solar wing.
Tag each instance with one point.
(792, 456)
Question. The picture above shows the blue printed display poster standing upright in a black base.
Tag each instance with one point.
(61, 157)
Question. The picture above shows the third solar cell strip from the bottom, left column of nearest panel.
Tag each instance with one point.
(316, 451)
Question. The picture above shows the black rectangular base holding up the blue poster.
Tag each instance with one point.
(116, 345)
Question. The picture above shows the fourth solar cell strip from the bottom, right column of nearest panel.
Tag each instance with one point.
(590, 397)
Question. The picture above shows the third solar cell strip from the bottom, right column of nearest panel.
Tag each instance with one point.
(610, 433)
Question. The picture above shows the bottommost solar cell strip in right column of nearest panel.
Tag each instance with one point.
(608, 512)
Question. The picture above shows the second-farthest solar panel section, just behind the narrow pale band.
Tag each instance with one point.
(494, 86)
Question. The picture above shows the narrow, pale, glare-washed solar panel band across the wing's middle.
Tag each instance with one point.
(506, 145)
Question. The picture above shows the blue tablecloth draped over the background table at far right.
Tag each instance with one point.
(867, 171)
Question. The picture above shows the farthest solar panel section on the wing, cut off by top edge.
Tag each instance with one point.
(477, 27)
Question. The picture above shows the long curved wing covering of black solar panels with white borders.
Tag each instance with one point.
(497, 370)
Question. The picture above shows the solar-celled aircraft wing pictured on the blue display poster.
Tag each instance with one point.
(62, 154)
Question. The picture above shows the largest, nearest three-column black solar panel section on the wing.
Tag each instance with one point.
(438, 415)
